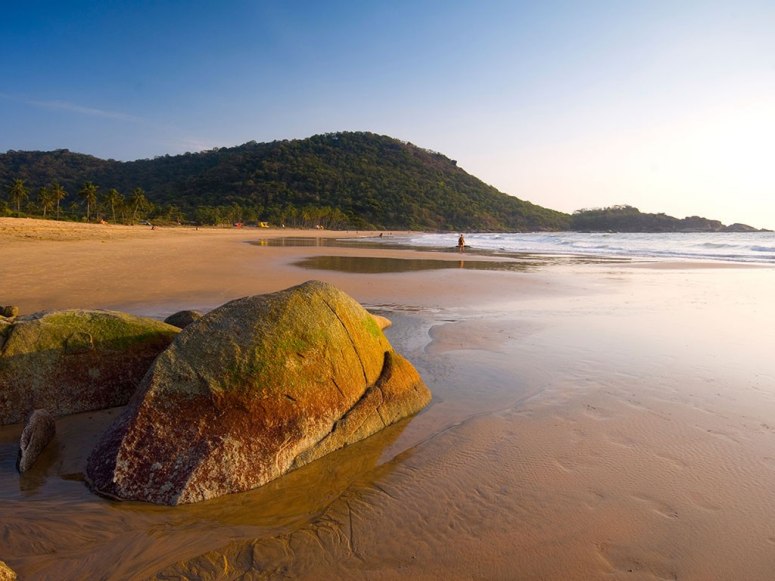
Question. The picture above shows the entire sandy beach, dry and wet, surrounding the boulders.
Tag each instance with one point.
(590, 419)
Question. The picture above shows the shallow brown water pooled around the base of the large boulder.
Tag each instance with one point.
(54, 527)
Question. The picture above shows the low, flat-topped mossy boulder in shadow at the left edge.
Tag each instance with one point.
(75, 360)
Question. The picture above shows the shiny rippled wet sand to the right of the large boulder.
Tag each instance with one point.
(614, 436)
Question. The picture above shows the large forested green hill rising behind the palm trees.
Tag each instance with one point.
(341, 180)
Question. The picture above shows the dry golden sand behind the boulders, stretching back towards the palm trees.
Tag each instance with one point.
(48, 265)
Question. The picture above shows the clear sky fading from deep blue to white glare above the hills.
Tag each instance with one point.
(665, 105)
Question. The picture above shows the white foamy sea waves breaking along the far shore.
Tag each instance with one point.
(754, 247)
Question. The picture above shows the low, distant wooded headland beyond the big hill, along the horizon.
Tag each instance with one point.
(629, 219)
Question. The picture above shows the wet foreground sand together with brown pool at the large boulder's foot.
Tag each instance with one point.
(625, 430)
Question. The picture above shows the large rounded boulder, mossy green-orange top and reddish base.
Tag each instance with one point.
(258, 387)
